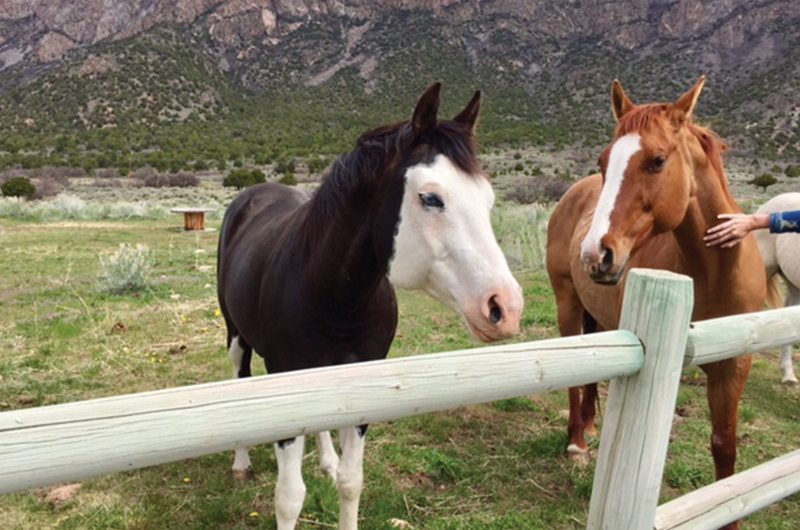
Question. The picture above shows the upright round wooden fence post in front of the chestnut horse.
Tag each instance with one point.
(657, 307)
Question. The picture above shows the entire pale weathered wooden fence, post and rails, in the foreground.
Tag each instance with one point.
(48, 445)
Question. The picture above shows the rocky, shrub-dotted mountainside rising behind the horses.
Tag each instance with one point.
(320, 68)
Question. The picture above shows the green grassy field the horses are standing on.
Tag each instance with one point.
(494, 466)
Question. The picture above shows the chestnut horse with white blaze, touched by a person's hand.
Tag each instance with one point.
(661, 187)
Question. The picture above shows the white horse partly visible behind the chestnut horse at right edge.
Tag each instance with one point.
(781, 254)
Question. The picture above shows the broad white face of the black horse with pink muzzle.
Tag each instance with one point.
(450, 252)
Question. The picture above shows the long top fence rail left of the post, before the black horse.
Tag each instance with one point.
(47, 445)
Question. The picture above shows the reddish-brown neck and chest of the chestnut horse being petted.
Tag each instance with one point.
(714, 269)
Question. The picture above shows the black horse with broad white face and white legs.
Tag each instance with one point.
(305, 282)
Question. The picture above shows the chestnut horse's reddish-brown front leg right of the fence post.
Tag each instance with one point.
(726, 380)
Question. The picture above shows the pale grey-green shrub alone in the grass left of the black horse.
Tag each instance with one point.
(127, 269)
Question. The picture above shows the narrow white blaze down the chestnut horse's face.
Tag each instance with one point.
(621, 152)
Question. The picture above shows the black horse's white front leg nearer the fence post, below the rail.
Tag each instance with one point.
(350, 475)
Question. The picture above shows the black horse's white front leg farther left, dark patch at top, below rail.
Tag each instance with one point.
(290, 490)
